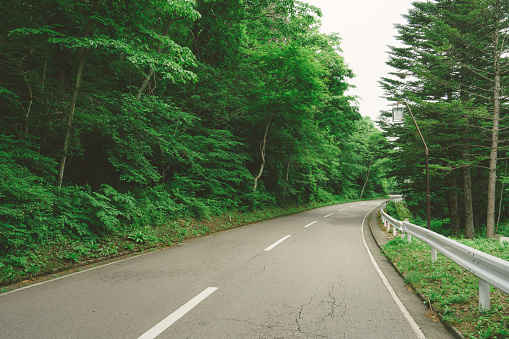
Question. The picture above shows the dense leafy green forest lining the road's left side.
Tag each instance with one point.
(118, 117)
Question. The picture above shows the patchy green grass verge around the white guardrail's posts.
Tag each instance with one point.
(453, 291)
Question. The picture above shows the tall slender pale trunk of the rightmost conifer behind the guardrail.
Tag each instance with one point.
(492, 176)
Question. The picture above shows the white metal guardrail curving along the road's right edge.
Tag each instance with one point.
(489, 269)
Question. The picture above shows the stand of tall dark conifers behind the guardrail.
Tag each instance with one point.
(452, 70)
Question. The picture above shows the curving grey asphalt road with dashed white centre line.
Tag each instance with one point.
(308, 275)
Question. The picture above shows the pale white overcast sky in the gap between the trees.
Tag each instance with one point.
(366, 28)
